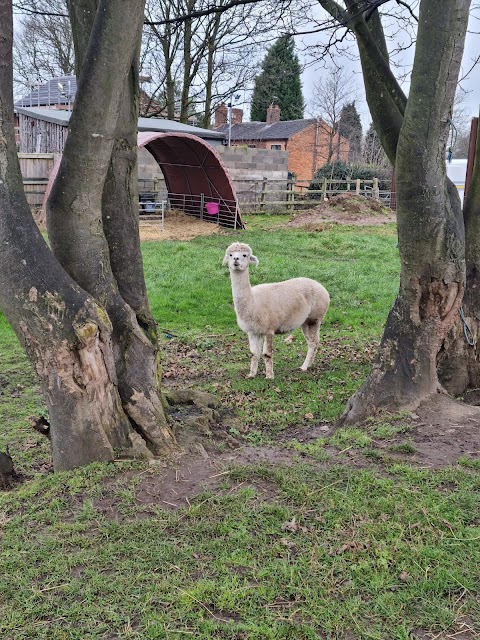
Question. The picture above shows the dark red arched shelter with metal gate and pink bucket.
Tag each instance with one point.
(195, 176)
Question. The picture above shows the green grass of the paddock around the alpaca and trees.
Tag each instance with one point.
(318, 536)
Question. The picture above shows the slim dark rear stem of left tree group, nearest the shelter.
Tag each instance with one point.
(135, 336)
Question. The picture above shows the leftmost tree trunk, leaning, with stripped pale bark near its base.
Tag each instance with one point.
(64, 331)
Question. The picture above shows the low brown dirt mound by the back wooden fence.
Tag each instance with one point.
(347, 209)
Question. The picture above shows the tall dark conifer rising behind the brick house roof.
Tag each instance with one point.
(279, 82)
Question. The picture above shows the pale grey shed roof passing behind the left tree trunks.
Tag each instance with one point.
(62, 117)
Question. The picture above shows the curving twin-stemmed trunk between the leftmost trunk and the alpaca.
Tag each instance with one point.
(102, 142)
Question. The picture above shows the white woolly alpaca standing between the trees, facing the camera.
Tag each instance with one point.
(279, 307)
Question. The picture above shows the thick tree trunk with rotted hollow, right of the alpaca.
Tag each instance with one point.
(430, 229)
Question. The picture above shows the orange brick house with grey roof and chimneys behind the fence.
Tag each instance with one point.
(308, 142)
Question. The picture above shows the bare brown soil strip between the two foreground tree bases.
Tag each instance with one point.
(440, 431)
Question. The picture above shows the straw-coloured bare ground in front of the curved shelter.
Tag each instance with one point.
(178, 226)
